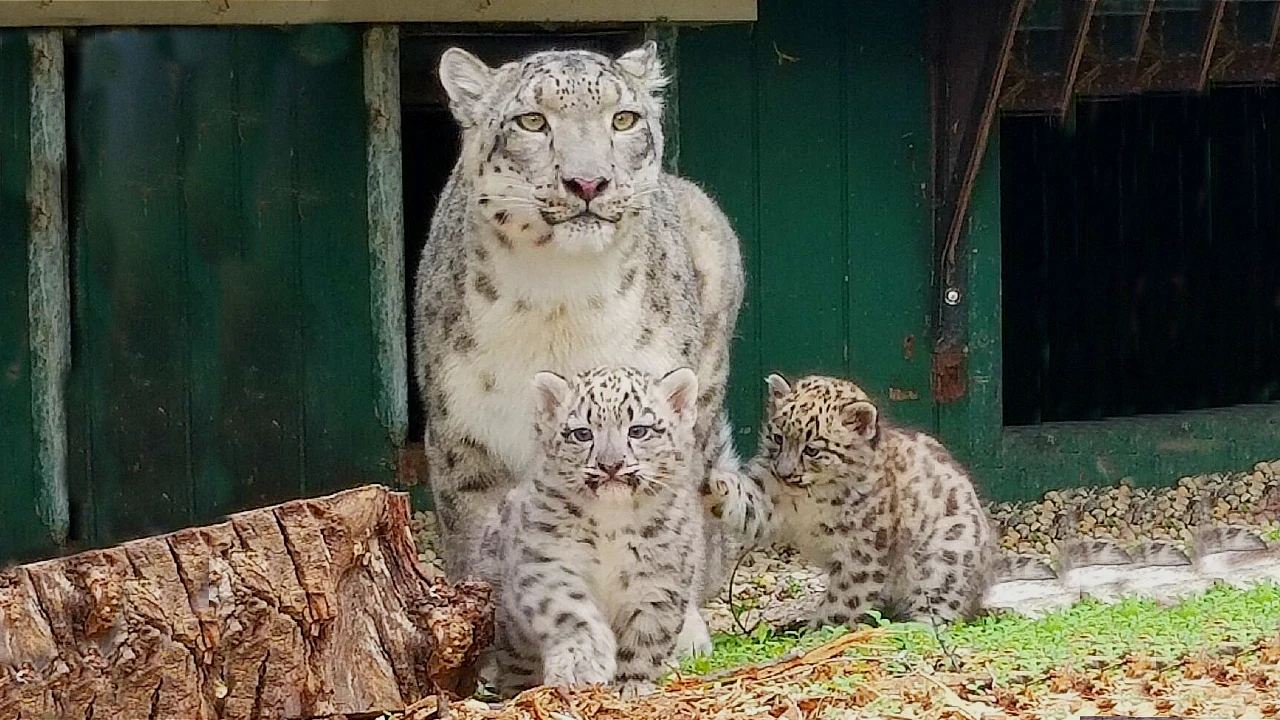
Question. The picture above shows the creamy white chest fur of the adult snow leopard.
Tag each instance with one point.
(556, 313)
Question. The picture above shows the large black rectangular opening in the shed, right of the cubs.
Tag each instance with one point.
(1141, 249)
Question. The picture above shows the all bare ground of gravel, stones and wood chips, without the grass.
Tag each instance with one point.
(858, 677)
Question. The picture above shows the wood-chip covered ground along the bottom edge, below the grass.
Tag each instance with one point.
(848, 680)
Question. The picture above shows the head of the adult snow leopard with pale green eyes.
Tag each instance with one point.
(561, 147)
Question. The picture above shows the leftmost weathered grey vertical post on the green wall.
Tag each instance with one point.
(48, 271)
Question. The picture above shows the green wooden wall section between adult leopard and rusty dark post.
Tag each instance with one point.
(812, 129)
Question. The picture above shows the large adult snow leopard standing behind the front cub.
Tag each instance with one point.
(560, 244)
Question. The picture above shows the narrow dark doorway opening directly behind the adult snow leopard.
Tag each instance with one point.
(431, 139)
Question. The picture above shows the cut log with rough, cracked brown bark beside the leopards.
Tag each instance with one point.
(309, 609)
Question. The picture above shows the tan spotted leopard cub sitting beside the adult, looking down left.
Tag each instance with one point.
(892, 517)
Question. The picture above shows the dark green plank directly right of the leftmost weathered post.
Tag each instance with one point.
(132, 248)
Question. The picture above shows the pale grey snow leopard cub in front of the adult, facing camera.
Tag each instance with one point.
(597, 558)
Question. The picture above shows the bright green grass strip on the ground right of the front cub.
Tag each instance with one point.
(1086, 634)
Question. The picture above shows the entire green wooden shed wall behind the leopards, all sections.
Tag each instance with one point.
(225, 349)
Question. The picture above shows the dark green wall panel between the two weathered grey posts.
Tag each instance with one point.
(223, 344)
